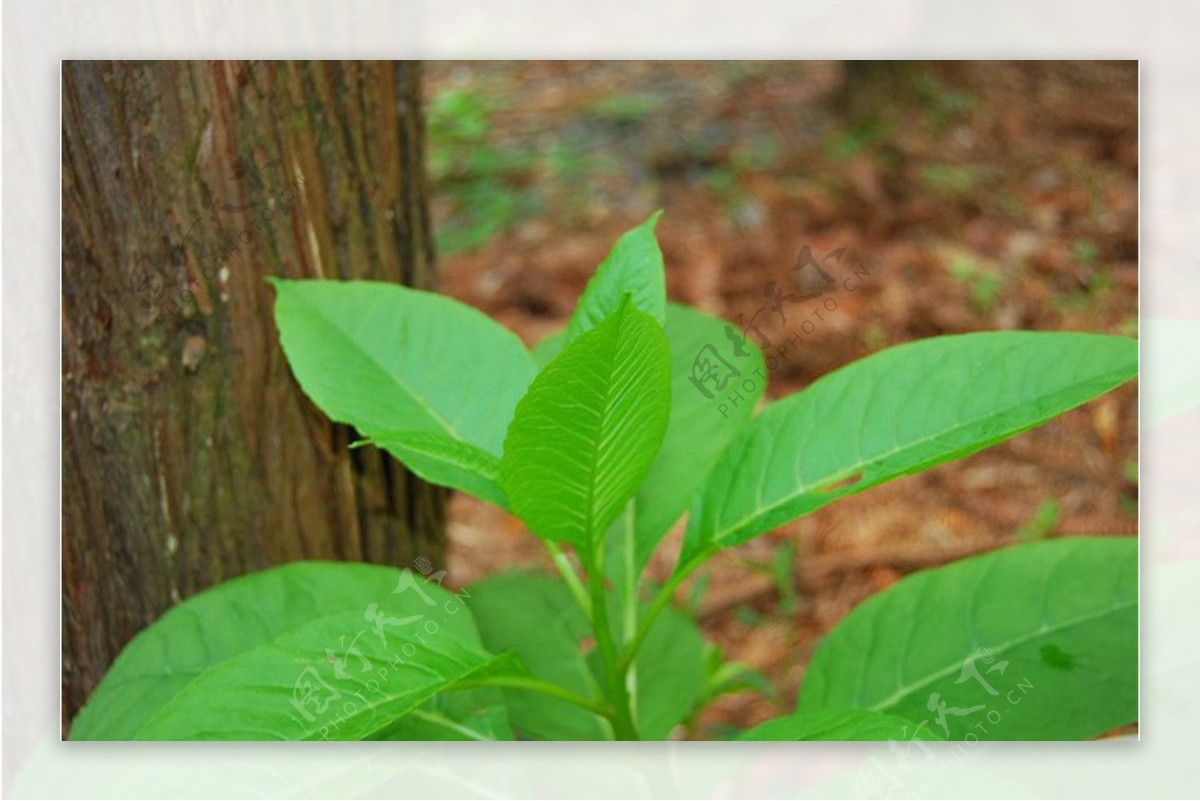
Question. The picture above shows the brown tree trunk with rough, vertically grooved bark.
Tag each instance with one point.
(190, 455)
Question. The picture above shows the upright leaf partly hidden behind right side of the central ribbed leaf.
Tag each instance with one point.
(700, 427)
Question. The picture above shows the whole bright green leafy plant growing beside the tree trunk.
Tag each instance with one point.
(601, 443)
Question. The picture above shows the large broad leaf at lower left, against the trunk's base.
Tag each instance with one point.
(230, 663)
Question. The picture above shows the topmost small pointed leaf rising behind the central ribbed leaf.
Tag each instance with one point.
(633, 268)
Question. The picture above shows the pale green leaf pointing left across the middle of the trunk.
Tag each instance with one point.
(385, 358)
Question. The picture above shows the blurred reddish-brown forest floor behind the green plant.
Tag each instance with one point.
(983, 196)
